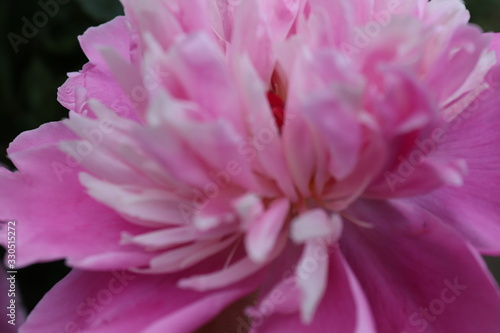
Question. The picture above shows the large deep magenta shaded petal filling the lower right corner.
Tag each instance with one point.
(418, 272)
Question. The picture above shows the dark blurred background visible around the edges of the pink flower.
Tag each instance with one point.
(31, 74)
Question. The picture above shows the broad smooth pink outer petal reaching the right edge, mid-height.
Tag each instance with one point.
(473, 208)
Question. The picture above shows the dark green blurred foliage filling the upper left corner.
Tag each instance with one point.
(29, 78)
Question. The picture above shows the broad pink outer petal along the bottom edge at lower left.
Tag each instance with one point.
(126, 302)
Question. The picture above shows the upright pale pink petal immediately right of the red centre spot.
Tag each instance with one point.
(316, 147)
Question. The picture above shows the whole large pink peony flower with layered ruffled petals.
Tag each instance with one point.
(335, 160)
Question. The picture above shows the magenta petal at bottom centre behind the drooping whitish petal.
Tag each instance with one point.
(343, 309)
